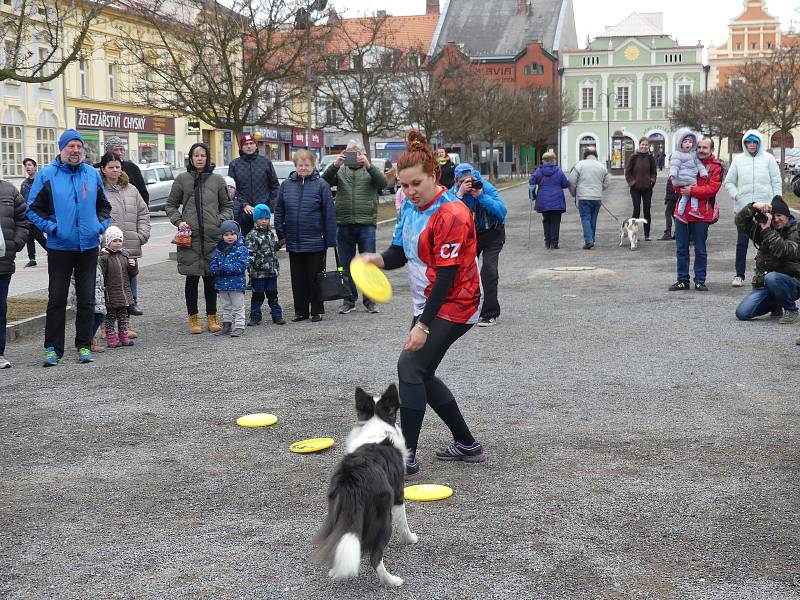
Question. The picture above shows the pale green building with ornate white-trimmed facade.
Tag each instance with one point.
(623, 85)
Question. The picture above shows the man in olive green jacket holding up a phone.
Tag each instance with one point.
(357, 189)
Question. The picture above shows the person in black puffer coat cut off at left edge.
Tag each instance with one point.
(13, 235)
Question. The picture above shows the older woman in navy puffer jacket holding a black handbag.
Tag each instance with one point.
(305, 220)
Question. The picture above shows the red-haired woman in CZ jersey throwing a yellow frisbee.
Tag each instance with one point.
(435, 236)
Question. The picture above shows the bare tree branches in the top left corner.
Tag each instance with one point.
(57, 29)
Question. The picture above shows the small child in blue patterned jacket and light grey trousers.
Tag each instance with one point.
(228, 265)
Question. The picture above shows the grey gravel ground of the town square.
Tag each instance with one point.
(642, 444)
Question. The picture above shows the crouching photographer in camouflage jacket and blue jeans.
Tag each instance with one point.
(776, 282)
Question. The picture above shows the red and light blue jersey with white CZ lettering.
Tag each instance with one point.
(442, 235)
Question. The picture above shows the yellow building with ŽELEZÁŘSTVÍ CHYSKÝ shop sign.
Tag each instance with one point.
(91, 97)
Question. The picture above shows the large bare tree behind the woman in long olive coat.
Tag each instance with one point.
(217, 63)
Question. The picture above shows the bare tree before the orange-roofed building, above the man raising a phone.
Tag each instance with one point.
(360, 78)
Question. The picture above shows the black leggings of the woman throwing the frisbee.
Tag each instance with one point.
(420, 387)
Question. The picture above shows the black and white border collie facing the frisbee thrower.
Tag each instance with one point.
(366, 492)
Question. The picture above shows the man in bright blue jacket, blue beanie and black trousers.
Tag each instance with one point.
(68, 203)
